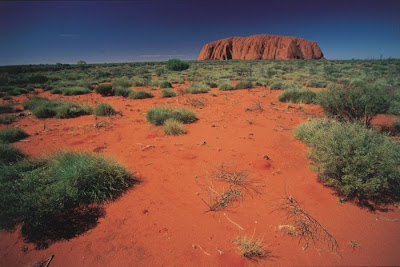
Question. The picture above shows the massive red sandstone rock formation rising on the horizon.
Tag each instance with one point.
(263, 46)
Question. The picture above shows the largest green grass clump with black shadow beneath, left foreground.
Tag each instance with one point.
(62, 188)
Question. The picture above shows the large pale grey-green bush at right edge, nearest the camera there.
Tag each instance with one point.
(359, 162)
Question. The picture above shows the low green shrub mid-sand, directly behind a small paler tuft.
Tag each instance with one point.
(158, 115)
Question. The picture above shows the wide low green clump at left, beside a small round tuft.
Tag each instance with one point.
(42, 107)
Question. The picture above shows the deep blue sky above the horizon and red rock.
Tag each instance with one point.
(34, 32)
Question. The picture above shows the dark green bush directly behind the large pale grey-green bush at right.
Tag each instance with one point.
(354, 104)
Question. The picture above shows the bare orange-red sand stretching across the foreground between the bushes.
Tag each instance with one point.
(162, 221)
